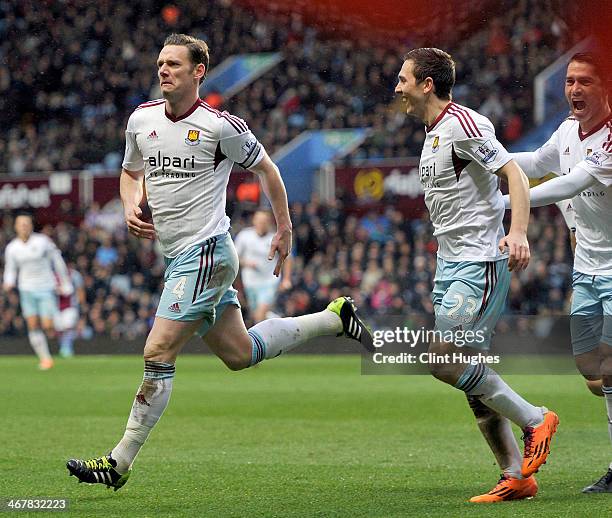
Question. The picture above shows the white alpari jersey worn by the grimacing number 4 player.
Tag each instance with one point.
(187, 162)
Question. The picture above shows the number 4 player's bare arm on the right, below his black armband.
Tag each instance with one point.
(273, 186)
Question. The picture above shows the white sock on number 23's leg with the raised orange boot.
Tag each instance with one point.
(479, 380)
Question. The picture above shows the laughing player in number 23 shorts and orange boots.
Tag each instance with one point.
(459, 169)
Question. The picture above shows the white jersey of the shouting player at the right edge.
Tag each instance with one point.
(569, 147)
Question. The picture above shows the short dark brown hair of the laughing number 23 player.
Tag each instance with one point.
(434, 63)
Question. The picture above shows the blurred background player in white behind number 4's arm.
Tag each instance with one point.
(260, 284)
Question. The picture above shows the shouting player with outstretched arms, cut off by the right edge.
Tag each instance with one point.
(580, 151)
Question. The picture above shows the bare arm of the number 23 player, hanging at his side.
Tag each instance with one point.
(516, 240)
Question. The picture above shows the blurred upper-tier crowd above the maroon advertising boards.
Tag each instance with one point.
(71, 73)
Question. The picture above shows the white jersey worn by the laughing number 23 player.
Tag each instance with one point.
(459, 158)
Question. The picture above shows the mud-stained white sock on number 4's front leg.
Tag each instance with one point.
(149, 405)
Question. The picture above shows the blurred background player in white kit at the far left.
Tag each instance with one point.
(31, 262)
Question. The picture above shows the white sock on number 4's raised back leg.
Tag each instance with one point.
(277, 335)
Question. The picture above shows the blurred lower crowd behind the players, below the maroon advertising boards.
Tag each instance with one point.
(385, 262)
